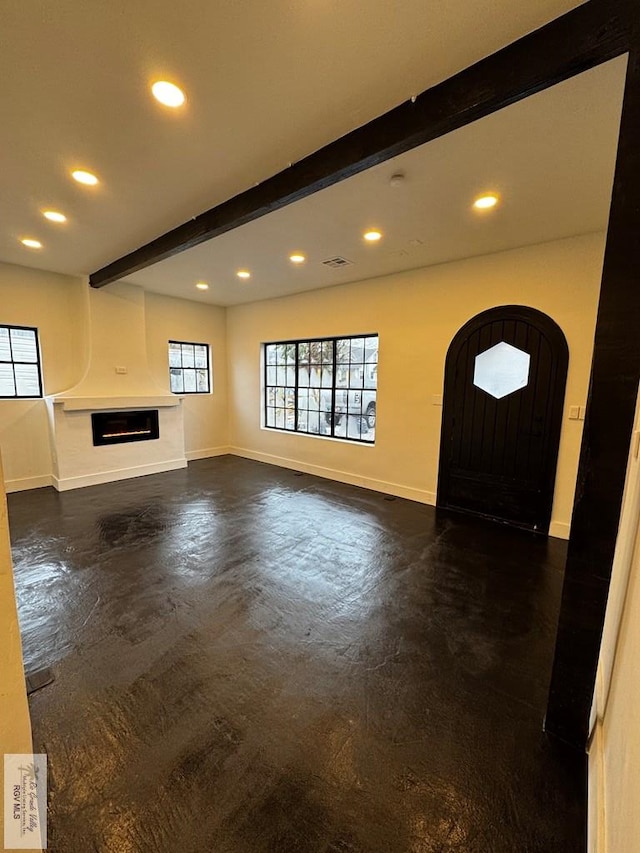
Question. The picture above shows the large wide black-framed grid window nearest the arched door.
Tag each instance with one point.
(323, 386)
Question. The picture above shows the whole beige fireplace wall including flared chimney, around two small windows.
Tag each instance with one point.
(74, 321)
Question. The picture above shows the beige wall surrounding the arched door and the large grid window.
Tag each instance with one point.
(416, 314)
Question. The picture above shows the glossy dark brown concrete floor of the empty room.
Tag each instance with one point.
(248, 660)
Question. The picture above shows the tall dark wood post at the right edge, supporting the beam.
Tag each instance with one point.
(605, 446)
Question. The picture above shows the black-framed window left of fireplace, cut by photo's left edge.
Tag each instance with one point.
(20, 371)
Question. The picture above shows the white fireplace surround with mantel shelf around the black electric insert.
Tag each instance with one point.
(77, 462)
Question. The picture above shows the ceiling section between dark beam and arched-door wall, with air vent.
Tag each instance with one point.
(551, 158)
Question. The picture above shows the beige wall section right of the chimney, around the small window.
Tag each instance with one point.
(205, 416)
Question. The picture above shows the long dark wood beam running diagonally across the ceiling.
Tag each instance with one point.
(581, 39)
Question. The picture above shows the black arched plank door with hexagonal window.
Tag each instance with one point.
(504, 386)
